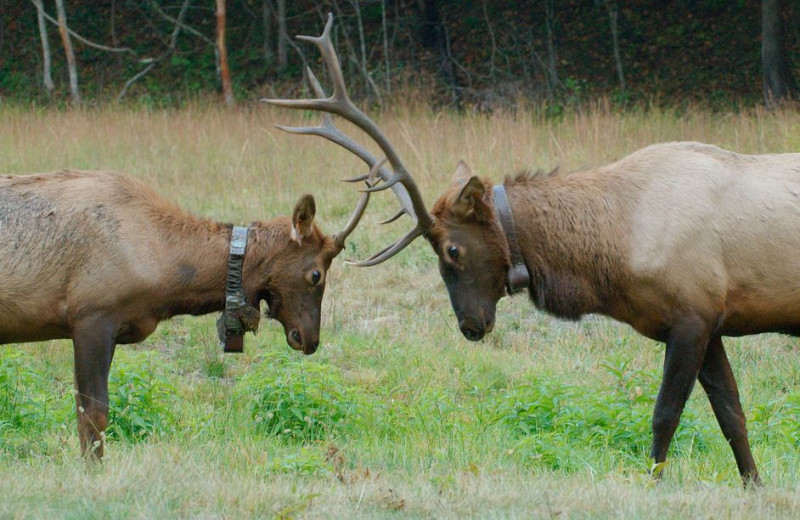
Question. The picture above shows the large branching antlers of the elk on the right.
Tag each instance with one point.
(340, 103)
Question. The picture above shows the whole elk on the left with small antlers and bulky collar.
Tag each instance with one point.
(100, 258)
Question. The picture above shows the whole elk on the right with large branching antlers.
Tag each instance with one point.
(685, 242)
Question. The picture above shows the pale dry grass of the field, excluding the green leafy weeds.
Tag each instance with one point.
(234, 166)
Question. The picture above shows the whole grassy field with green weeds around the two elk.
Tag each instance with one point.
(397, 415)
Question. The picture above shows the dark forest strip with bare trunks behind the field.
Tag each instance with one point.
(479, 55)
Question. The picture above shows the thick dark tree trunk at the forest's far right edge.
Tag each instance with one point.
(779, 84)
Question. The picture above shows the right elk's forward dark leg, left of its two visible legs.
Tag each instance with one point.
(684, 354)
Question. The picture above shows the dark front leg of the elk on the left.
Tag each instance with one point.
(93, 345)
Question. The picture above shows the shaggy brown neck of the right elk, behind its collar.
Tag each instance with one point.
(569, 236)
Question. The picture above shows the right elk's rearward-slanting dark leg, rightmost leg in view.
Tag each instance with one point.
(717, 379)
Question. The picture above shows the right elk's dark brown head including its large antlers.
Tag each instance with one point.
(462, 229)
